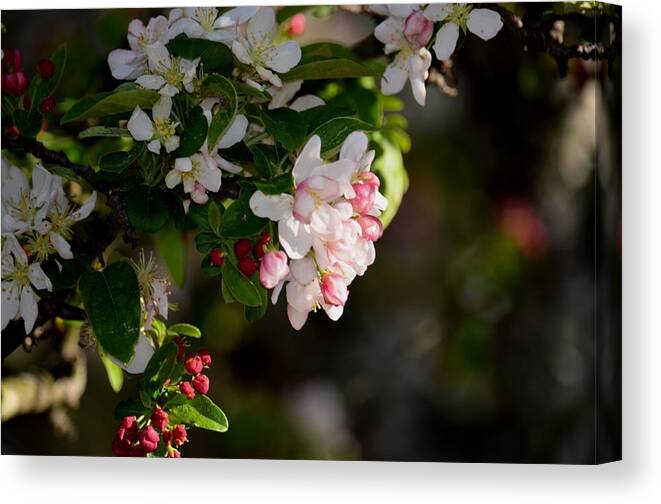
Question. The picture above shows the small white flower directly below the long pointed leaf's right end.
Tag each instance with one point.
(159, 132)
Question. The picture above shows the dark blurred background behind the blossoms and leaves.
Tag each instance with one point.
(488, 328)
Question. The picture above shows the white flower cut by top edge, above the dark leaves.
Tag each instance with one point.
(204, 22)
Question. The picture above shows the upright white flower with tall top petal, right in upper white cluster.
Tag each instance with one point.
(257, 48)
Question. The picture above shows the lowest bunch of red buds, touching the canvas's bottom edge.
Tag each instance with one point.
(140, 437)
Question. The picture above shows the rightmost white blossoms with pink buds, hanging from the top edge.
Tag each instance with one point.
(408, 30)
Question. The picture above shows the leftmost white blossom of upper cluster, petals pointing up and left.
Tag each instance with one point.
(129, 64)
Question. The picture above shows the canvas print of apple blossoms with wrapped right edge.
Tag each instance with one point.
(343, 232)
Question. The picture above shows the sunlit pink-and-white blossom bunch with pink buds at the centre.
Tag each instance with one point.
(327, 228)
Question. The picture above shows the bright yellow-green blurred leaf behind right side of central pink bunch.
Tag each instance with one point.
(389, 166)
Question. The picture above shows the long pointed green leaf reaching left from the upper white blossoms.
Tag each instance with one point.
(110, 103)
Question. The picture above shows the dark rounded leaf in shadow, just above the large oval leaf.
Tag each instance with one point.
(147, 208)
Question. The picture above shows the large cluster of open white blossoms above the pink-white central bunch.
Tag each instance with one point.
(252, 35)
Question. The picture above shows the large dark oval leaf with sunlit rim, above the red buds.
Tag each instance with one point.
(112, 302)
